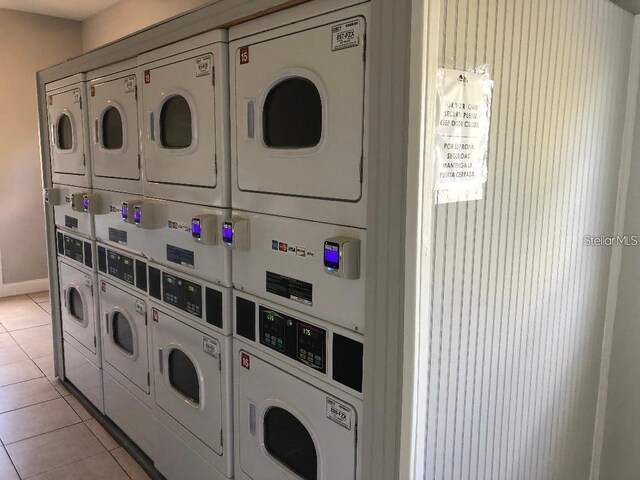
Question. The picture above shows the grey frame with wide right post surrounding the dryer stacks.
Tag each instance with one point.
(398, 111)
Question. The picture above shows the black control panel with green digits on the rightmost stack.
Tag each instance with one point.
(299, 340)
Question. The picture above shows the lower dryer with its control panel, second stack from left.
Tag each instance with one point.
(126, 346)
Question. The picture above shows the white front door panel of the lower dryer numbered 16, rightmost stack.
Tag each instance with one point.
(289, 428)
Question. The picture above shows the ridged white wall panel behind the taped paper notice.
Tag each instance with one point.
(518, 300)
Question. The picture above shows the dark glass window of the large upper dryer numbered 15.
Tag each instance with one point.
(292, 116)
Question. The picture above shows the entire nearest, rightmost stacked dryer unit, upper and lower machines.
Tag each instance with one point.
(299, 164)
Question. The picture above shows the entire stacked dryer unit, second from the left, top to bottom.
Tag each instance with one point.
(122, 268)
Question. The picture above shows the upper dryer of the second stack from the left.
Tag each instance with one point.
(113, 122)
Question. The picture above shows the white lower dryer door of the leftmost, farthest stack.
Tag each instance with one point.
(78, 317)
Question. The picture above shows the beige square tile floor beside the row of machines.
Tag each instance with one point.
(44, 431)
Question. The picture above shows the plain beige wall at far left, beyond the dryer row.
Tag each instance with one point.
(28, 43)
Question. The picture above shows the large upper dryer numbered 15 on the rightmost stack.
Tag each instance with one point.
(299, 102)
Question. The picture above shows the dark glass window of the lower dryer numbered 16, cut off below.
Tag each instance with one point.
(288, 440)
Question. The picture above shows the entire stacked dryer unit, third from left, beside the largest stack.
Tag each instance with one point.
(184, 108)
